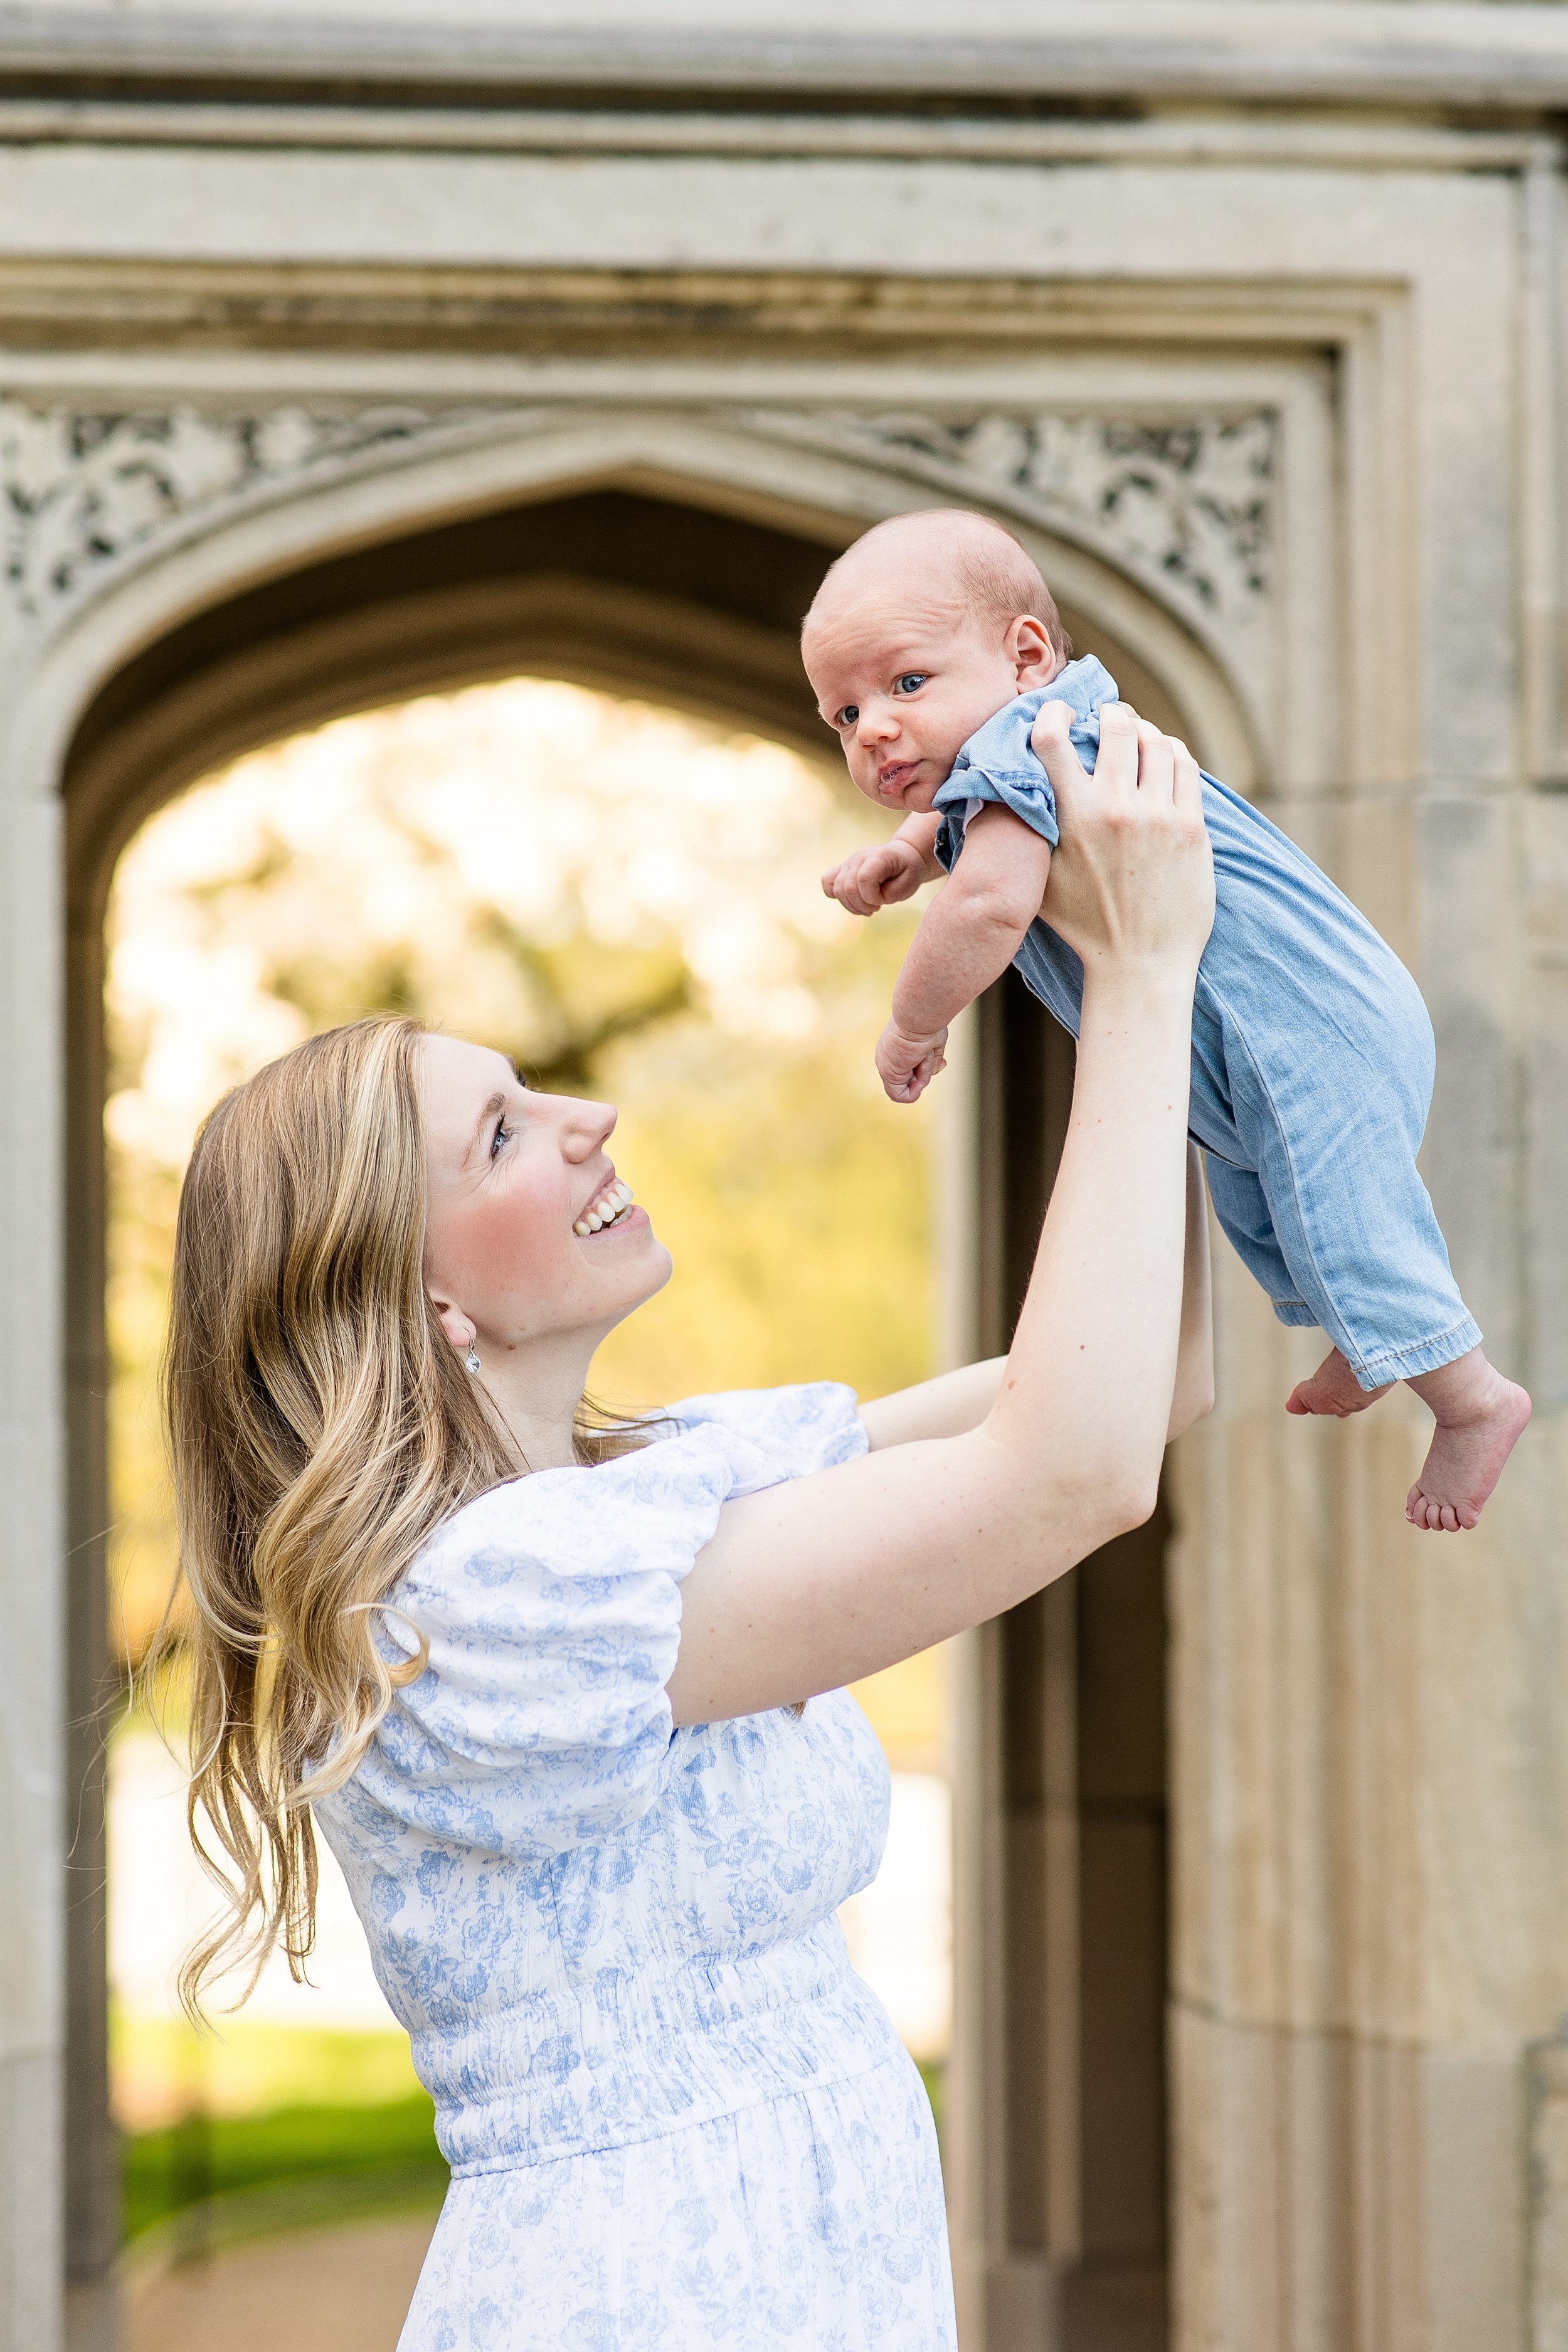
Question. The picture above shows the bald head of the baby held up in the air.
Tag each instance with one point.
(918, 636)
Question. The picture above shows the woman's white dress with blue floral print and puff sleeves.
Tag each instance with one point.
(674, 2113)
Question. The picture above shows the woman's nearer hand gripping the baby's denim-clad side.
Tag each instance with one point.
(1132, 878)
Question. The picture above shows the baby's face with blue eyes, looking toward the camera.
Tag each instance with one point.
(904, 688)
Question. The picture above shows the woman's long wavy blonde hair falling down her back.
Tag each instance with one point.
(321, 1429)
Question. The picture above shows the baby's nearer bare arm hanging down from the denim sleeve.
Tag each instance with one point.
(965, 942)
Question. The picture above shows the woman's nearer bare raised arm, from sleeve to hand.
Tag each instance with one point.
(826, 1579)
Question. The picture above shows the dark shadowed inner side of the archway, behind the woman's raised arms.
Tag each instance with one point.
(1078, 1688)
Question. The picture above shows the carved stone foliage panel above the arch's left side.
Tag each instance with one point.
(83, 490)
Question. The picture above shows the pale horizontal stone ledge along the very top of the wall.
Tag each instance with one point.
(1391, 53)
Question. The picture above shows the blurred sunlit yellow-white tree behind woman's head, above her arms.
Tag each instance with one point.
(650, 933)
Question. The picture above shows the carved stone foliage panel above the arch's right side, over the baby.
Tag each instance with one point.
(1186, 505)
